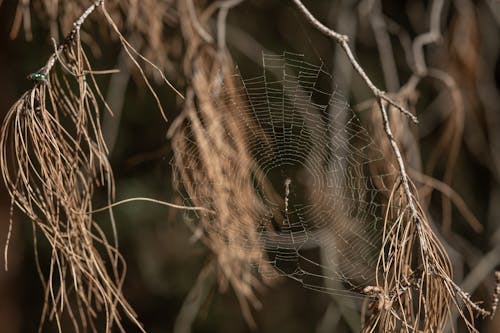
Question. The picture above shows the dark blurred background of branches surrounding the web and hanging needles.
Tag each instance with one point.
(164, 263)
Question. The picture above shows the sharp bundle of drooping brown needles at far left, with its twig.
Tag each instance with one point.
(53, 158)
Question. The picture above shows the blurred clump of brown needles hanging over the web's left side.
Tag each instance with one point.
(210, 149)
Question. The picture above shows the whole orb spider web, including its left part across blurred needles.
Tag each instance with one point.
(313, 170)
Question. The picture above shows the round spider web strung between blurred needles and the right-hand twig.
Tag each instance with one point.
(313, 172)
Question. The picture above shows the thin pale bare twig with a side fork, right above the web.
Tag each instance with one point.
(380, 95)
